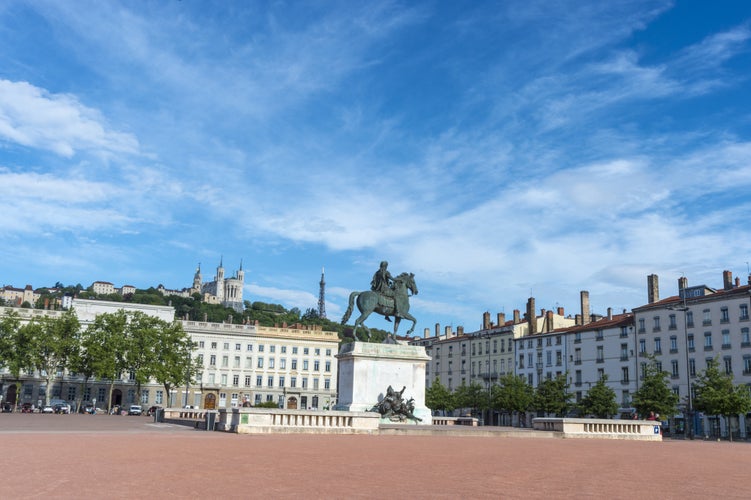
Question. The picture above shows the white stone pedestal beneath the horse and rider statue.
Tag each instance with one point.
(366, 371)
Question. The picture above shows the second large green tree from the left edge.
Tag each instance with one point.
(52, 344)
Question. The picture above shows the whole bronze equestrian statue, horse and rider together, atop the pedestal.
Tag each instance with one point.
(388, 296)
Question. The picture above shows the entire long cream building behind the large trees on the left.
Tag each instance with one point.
(292, 366)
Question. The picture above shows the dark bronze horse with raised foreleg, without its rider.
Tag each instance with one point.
(370, 301)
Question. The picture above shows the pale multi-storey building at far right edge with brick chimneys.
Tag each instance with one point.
(684, 331)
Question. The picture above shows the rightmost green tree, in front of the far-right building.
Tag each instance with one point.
(717, 395)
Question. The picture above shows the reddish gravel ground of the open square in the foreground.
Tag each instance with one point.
(82, 456)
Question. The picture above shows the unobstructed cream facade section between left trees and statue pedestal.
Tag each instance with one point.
(294, 367)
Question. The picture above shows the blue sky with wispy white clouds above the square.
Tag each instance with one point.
(498, 150)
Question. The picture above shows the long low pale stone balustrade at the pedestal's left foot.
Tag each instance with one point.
(265, 421)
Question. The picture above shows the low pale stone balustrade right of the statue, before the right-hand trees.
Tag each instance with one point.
(600, 428)
